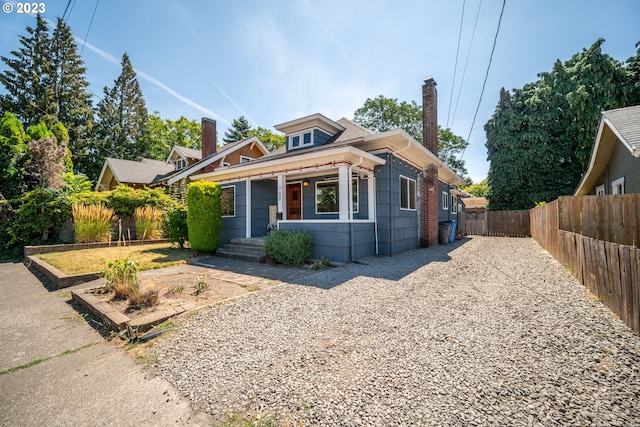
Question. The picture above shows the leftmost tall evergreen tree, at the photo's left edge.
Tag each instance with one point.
(28, 79)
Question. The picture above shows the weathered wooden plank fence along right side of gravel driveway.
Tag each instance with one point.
(597, 238)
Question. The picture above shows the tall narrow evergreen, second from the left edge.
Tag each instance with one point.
(72, 100)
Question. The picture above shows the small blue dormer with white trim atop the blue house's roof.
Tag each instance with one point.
(309, 131)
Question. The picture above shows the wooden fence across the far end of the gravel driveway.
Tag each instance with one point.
(498, 223)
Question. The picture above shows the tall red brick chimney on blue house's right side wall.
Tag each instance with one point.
(428, 178)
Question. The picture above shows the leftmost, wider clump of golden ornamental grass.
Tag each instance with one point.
(92, 223)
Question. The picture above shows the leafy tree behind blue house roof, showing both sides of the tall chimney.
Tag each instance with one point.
(382, 114)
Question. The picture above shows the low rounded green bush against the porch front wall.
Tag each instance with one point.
(290, 247)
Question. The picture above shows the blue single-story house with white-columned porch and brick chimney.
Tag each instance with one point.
(357, 192)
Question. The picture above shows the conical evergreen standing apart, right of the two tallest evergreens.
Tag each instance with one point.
(121, 125)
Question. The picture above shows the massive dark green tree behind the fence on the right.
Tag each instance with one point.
(540, 137)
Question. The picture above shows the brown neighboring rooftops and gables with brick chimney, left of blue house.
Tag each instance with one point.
(180, 163)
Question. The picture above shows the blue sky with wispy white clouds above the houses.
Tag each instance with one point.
(277, 60)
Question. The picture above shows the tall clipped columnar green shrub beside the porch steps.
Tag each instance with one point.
(204, 216)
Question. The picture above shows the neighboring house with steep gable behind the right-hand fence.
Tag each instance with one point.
(614, 167)
